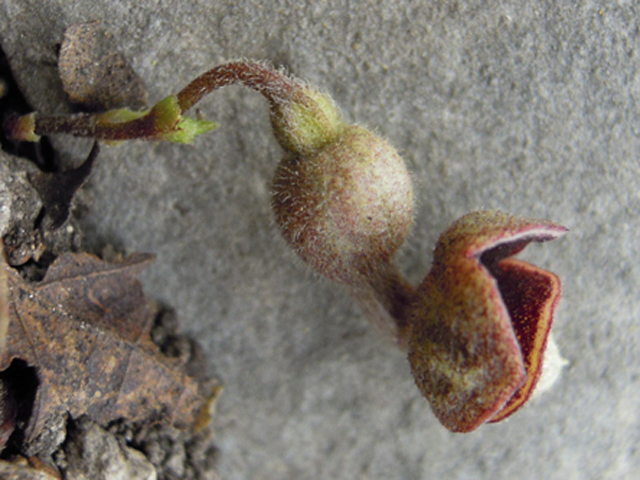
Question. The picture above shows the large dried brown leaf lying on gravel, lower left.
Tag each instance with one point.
(85, 328)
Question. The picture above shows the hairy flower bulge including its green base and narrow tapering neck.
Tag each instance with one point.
(342, 198)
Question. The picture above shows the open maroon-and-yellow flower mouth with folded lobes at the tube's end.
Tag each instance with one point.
(481, 320)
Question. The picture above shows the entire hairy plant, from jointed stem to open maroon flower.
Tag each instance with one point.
(475, 330)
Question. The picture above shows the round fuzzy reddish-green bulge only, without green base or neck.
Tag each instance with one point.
(346, 207)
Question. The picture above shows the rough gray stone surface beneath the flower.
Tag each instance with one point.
(529, 107)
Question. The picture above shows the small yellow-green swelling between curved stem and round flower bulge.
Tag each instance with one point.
(306, 122)
